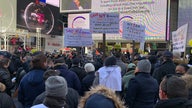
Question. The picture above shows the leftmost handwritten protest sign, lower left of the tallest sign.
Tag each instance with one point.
(77, 37)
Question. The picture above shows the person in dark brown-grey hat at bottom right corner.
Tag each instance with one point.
(173, 93)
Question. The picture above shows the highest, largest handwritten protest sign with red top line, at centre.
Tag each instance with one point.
(104, 22)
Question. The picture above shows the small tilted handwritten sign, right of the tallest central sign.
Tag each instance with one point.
(133, 31)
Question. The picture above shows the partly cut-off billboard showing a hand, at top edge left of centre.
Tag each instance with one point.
(69, 6)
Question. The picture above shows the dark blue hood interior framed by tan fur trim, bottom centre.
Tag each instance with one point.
(99, 101)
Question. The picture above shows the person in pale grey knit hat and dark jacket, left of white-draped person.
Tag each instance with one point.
(88, 79)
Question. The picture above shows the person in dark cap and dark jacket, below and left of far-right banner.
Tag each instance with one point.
(167, 67)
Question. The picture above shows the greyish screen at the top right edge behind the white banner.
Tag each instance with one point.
(185, 16)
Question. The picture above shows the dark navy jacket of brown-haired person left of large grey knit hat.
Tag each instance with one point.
(31, 86)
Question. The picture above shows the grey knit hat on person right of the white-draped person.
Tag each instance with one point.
(144, 66)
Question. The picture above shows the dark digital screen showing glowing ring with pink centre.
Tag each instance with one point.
(32, 14)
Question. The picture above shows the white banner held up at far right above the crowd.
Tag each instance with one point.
(179, 38)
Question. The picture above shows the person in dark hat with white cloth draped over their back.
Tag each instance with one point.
(110, 74)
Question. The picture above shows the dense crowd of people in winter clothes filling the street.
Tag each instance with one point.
(45, 80)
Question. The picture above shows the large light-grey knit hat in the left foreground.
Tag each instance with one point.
(56, 86)
